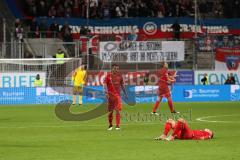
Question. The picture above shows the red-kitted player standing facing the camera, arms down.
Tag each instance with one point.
(113, 83)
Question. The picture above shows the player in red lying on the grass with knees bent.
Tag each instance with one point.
(182, 131)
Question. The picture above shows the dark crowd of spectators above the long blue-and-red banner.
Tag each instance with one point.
(99, 9)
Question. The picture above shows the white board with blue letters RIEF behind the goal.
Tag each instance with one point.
(20, 79)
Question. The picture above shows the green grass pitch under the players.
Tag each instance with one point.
(34, 132)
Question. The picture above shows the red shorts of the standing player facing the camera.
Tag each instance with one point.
(114, 103)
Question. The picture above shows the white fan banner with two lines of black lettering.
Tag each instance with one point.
(142, 51)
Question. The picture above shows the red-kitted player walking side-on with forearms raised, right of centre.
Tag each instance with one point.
(165, 79)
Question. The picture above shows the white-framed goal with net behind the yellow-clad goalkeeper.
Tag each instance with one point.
(53, 72)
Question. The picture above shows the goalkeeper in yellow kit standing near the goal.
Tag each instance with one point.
(79, 80)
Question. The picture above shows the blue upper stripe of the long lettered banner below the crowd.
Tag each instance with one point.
(141, 22)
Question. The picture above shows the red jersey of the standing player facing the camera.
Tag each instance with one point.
(113, 83)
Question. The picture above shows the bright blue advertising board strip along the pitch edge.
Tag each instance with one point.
(137, 94)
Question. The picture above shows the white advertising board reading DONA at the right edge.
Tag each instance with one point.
(216, 77)
